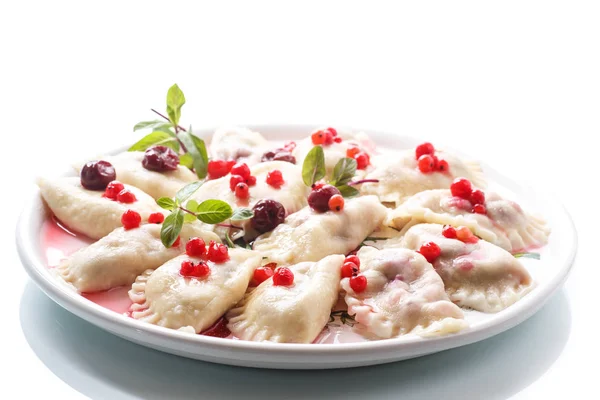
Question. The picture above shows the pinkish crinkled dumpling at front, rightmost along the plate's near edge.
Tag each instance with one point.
(404, 295)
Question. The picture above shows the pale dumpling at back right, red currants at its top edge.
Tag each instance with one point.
(399, 176)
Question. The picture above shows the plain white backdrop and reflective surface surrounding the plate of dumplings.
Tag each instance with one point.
(515, 83)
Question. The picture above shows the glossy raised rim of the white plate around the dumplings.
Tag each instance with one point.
(106, 319)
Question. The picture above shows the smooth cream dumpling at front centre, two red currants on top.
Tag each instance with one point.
(290, 314)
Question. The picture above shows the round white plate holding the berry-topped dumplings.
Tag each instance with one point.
(549, 274)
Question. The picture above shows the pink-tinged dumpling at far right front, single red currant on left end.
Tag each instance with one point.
(481, 276)
